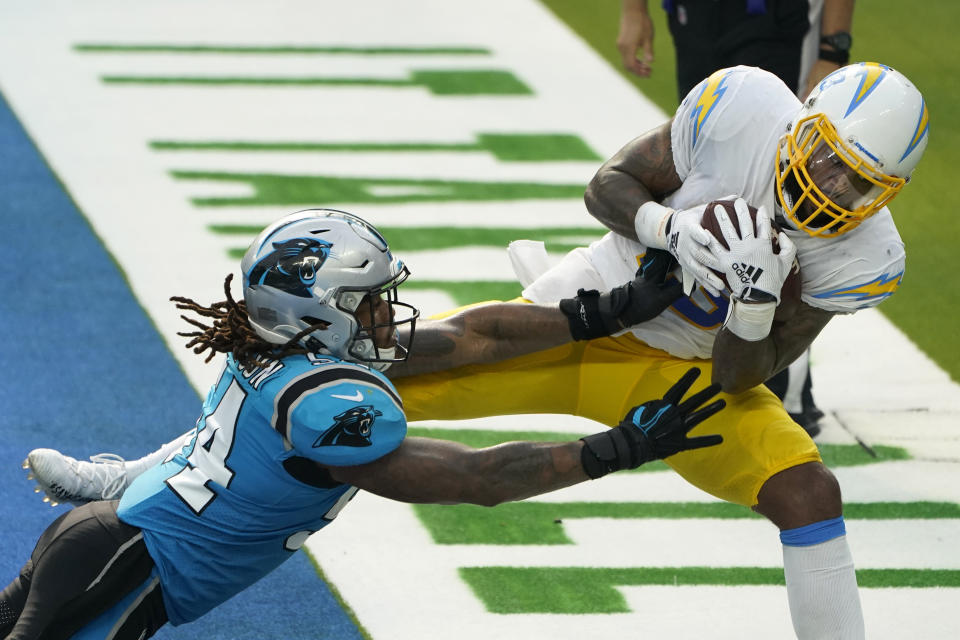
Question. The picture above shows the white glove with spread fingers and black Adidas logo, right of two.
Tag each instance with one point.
(754, 272)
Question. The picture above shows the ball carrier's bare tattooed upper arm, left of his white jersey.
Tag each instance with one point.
(641, 172)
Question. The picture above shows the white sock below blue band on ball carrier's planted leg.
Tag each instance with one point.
(822, 590)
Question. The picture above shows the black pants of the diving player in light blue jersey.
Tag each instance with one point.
(83, 564)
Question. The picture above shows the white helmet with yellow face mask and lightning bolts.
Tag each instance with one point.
(851, 148)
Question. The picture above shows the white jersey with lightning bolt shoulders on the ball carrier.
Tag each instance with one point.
(724, 138)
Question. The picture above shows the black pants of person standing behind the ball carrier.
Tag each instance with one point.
(713, 34)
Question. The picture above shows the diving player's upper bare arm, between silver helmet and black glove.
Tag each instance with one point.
(483, 333)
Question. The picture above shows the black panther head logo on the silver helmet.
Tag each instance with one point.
(291, 266)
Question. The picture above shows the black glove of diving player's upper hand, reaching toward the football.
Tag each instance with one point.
(593, 315)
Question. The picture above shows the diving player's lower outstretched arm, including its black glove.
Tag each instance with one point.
(424, 470)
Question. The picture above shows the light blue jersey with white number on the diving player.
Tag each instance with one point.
(244, 493)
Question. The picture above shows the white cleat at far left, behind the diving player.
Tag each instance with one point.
(66, 480)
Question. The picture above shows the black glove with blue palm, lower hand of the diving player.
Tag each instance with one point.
(653, 430)
